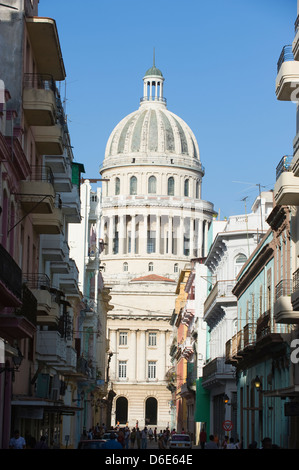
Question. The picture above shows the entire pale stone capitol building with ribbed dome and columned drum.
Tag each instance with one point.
(153, 222)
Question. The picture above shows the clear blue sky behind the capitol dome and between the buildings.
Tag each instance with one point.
(219, 62)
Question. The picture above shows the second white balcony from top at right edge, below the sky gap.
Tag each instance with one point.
(286, 189)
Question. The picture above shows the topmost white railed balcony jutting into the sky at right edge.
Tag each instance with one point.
(287, 79)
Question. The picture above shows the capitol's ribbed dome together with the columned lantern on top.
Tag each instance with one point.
(152, 130)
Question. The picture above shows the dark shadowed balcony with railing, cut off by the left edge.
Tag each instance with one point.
(10, 281)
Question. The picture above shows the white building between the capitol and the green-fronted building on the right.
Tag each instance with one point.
(231, 247)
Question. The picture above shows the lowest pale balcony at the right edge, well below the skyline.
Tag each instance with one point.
(283, 308)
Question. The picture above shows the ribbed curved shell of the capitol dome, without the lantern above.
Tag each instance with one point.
(152, 129)
